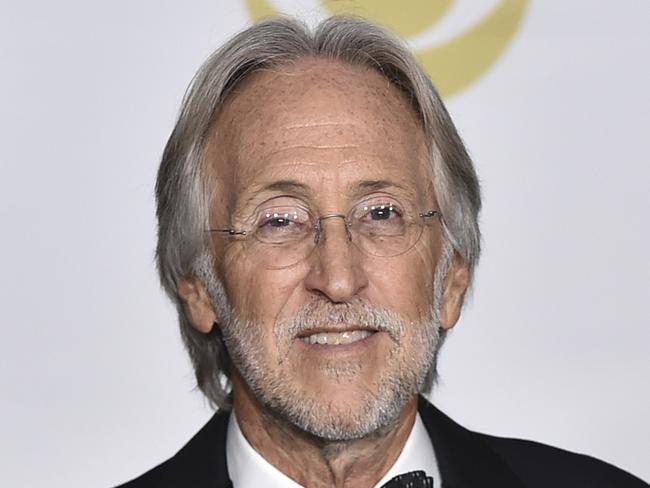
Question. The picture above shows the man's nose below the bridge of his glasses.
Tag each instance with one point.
(336, 268)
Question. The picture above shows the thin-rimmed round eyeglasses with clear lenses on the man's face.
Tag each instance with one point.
(283, 231)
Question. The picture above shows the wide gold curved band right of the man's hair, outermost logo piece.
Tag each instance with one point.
(462, 60)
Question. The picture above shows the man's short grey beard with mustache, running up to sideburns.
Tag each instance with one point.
(407, 368)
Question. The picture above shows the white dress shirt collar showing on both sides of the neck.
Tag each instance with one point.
(248, 469)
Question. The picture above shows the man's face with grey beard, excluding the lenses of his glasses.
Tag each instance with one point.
(327, 136)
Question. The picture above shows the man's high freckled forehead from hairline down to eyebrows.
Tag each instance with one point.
(316, 122)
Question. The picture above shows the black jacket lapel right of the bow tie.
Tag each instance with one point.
(464, 460)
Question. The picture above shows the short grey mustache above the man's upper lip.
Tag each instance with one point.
(320, 313)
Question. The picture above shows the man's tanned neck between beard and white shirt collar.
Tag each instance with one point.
(315, 462)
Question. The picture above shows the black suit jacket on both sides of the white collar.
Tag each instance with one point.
(466, 459)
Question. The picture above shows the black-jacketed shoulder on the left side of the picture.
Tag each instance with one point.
(200, 463)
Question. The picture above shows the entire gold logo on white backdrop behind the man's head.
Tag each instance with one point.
(452, 65)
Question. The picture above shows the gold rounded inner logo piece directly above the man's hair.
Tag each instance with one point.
(408, 17)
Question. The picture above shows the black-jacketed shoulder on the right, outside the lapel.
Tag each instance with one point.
(540, 465)
